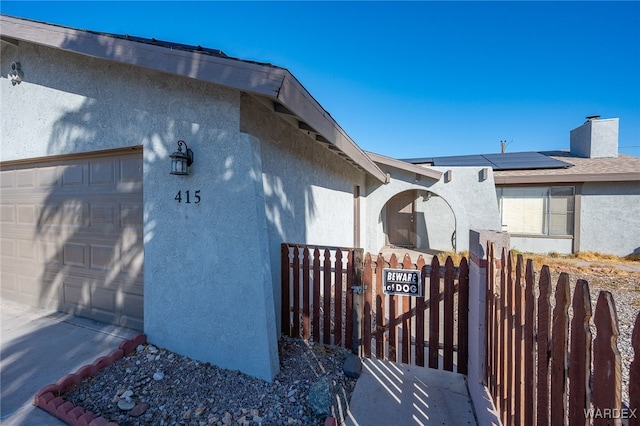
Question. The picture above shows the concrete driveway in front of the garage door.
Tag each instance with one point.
(38, 347)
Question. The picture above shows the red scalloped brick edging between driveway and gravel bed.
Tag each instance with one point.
(49, 398)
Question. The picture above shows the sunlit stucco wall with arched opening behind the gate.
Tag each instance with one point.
(472, 200)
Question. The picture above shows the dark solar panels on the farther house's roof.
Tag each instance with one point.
(504, 161)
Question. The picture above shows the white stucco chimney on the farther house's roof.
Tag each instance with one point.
(596, 138)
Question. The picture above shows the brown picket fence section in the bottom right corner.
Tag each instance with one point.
(542, 365)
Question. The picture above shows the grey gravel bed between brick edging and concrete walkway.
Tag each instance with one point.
(156, 387)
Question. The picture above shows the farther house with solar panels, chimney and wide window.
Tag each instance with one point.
(584, 199)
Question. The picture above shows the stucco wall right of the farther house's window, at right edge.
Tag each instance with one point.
(610, 218)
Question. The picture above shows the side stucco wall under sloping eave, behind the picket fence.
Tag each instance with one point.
(308, 190)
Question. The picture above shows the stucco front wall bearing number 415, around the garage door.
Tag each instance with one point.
(208, 292)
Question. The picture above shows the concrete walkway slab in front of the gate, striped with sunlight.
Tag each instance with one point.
(388, 393)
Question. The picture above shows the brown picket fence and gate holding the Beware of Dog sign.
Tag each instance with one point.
(318, 304)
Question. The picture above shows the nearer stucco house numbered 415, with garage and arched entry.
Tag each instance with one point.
(93, 223)
